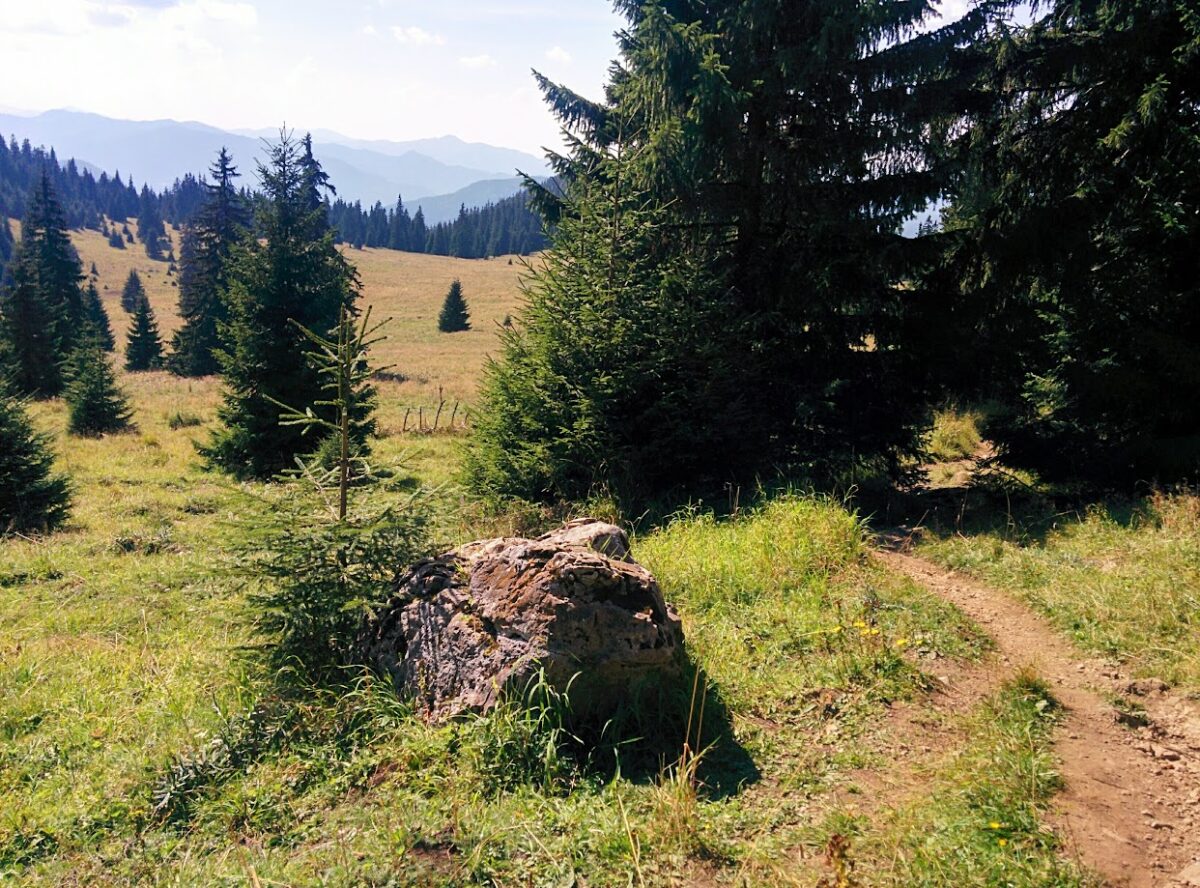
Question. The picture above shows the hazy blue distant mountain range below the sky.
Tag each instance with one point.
(439, 176)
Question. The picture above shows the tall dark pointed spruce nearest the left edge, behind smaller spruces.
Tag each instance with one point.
(41, 310)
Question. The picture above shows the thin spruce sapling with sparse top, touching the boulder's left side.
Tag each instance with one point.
(320, 562)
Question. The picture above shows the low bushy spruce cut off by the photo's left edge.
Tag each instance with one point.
(33, 497)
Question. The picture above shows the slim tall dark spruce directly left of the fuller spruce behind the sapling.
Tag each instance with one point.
(206, 257)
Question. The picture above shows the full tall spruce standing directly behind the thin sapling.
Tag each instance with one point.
(293, 278)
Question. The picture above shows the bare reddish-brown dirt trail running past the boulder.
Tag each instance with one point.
(1131, 808)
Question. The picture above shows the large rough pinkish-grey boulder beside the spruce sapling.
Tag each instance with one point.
(483, 620)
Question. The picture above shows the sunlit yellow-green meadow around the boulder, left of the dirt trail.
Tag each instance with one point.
(124, 675)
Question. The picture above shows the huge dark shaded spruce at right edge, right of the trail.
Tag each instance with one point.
(1075, 232)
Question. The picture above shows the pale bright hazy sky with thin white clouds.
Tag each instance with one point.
(369, 69)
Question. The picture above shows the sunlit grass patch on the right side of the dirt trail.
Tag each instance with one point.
(1123, 581)
